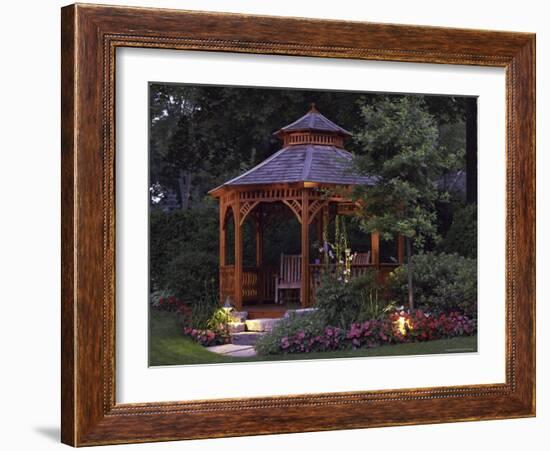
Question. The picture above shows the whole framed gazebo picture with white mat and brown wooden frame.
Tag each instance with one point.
(278, 225)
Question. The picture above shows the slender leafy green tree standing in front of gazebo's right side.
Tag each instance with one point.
(400, 146)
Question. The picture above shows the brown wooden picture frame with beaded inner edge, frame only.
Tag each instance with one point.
(90, 36)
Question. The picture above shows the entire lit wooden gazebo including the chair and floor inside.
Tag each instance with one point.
(310, 179)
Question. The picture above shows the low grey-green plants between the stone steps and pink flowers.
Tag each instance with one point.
(309, 323)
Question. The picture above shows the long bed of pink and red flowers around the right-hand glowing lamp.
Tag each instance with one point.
(397, 327)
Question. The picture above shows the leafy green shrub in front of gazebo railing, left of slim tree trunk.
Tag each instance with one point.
(343, 303)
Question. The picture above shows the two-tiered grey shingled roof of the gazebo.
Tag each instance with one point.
(316, 156)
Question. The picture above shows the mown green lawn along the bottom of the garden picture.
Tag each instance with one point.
(167, 346)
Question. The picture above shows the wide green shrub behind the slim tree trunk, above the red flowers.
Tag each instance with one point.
(441, 283)
